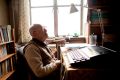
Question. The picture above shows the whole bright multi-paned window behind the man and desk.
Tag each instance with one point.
(55, 14)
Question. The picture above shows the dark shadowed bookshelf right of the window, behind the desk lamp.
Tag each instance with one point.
(109, 32)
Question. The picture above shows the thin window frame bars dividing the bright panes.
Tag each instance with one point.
(55, 6)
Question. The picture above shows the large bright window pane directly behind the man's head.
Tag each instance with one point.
(45, 17)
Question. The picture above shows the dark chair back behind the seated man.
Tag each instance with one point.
(23, 71)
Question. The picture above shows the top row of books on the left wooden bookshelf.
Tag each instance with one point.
(5, 33)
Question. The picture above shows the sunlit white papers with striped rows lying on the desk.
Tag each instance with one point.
(78, 53)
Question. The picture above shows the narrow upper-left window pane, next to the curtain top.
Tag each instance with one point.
(41, 2)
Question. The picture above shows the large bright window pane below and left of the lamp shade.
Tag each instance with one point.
(68, 24)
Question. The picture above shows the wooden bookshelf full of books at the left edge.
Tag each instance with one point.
(7, 52)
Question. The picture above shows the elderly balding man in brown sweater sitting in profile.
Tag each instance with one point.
(39, 57)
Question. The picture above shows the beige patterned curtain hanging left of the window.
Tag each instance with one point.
(21, 19)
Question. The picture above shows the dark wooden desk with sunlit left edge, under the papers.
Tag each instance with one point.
(71, 73)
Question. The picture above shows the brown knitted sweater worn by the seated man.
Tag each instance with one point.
(39, 58)
